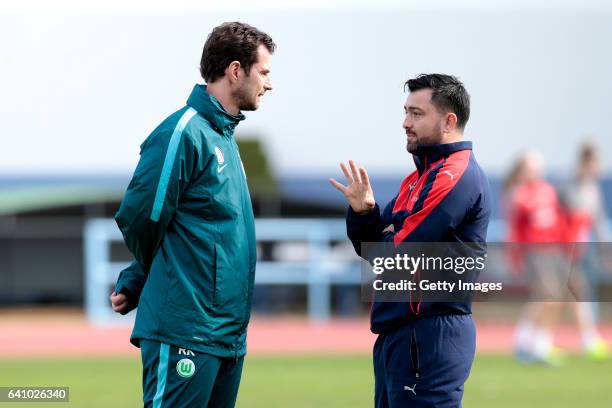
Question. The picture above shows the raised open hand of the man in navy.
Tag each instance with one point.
(358, 192)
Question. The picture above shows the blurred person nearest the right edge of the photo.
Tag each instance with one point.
(586, 222)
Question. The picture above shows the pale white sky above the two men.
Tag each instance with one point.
(82, 86)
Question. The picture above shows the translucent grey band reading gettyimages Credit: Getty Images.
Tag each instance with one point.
(457, 272)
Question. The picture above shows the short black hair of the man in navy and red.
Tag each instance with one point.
(448, 94)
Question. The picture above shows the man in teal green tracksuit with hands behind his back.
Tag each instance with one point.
(187, 219)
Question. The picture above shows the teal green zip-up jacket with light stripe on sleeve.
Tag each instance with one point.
(187, 219)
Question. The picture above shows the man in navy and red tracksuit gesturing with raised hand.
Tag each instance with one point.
(424, 350)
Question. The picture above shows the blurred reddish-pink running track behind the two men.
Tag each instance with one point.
(53, 334)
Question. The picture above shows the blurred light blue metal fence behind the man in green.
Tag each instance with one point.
(321, 267)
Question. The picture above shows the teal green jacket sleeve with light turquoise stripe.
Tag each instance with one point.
(168, 161)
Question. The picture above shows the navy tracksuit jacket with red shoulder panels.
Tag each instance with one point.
(446, 199)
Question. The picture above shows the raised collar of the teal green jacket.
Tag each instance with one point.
(210, 107)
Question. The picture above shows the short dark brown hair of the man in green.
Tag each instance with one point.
(229, 42)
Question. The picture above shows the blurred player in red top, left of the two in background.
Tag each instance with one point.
(535, 227)
